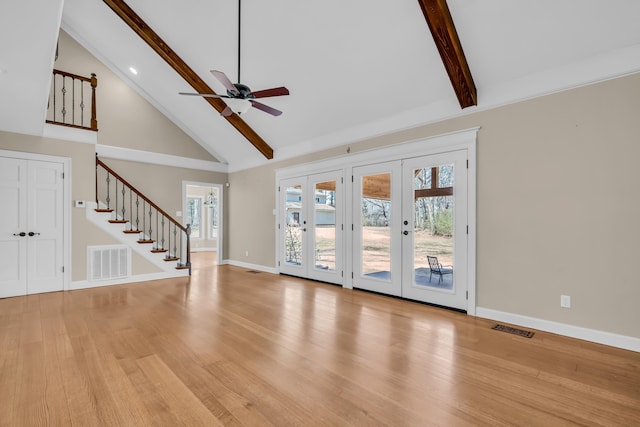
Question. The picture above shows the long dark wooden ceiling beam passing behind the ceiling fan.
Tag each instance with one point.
(147, 34)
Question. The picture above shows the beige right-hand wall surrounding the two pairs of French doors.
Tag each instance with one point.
(557, 209)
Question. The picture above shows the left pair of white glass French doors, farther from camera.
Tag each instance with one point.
(311, 227)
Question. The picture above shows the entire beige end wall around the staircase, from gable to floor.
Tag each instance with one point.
(126, 120)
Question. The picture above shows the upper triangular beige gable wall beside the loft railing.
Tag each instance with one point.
(125, 119)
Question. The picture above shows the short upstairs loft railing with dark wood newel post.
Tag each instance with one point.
(68, 98)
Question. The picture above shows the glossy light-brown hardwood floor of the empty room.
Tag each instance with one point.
(231, 347)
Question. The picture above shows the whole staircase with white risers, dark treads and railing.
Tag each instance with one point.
(133, 219)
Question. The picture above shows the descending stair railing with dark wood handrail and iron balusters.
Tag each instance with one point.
(142, 216)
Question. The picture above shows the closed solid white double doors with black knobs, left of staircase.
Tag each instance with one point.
(31, 226)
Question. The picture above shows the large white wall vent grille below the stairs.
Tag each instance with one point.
(108, 262)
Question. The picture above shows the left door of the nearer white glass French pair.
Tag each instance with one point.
(376, 228)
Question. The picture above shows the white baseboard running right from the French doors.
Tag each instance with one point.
(593, 335)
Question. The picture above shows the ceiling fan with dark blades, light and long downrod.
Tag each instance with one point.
(238, 91)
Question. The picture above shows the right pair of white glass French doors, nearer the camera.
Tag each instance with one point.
(407, 213)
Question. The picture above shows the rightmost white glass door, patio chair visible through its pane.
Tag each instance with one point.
(435, 227)
